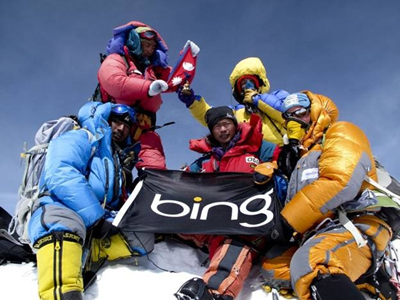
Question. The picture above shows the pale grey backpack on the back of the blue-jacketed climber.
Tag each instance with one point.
(29, 192)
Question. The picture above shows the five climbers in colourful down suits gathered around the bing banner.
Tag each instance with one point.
(87, 177)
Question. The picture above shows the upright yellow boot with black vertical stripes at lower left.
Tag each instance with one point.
(59, 260)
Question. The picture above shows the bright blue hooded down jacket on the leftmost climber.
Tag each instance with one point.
(79, 171)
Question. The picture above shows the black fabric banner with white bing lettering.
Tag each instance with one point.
(165, 201)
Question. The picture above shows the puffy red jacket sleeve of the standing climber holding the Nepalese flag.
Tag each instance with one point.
(113, 77)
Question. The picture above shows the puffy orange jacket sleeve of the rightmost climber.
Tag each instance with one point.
(345, 160)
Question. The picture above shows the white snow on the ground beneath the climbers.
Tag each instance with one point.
(133, 279)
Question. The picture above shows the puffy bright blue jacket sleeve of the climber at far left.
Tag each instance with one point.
(64, 175)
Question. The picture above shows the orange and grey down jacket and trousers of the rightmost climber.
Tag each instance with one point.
(330, 172)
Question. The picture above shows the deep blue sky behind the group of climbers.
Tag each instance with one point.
(346, 50)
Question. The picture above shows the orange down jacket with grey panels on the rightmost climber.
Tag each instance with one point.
(331, 172)
